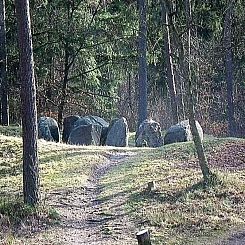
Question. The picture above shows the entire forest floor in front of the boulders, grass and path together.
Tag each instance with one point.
(100, 196)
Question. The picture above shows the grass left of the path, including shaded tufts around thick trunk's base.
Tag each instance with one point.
(62, 167)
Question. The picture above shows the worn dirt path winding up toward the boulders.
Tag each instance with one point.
(85, 219)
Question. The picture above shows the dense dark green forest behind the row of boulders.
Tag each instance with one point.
(86, 60)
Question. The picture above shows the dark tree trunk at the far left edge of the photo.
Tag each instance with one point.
(3, 68)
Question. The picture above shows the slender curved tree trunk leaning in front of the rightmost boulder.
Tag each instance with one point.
(187, 74)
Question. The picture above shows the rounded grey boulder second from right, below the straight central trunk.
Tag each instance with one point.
(149, 134)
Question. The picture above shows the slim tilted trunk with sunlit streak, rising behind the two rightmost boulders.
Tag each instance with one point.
(169, 63)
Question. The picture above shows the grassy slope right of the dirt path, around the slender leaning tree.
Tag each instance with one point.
(180, 211)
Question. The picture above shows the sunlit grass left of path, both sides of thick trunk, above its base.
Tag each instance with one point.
(61, 166)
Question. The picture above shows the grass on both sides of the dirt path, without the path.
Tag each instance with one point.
(179, 212)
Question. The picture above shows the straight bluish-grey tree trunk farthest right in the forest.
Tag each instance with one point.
(229, 69)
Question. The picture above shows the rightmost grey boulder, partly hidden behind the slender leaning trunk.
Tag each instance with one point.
(181, 132)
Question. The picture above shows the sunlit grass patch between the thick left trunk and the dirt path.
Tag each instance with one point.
(67, 167)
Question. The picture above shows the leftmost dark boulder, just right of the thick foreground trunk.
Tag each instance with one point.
(48, 129)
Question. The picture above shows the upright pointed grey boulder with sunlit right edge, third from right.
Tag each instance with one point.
(118, 133)
